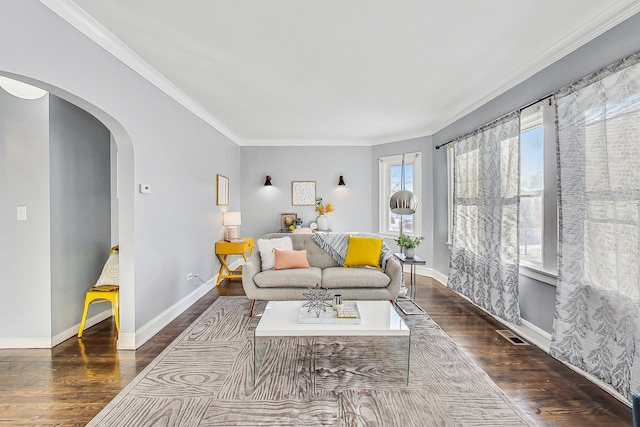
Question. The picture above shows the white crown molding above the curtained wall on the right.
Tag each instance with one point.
(576, 40)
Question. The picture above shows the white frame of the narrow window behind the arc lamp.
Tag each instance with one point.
(384, 191)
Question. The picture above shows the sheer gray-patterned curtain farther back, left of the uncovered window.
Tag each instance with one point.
(484, 259)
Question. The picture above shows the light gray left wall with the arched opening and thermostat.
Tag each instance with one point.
(165, 234)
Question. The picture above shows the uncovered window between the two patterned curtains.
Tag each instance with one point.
(538, 222)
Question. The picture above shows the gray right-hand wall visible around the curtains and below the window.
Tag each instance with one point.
(537, 304)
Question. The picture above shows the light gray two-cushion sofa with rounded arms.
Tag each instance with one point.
(290, 284)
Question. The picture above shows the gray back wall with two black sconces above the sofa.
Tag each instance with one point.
(262, 206)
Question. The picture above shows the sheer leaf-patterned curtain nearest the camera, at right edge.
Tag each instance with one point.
(597, 312)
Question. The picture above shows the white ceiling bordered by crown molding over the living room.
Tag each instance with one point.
(360, 72)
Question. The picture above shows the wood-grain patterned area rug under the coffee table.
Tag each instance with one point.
(205, 378)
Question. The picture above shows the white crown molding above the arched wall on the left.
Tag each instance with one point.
(83, 22)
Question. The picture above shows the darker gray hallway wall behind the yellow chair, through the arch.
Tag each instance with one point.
(80, 209)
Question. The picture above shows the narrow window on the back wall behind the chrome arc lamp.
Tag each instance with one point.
(390, 176)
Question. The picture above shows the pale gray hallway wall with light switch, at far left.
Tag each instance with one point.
(25, 309)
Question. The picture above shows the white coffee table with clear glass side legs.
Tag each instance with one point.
(378, 318)
